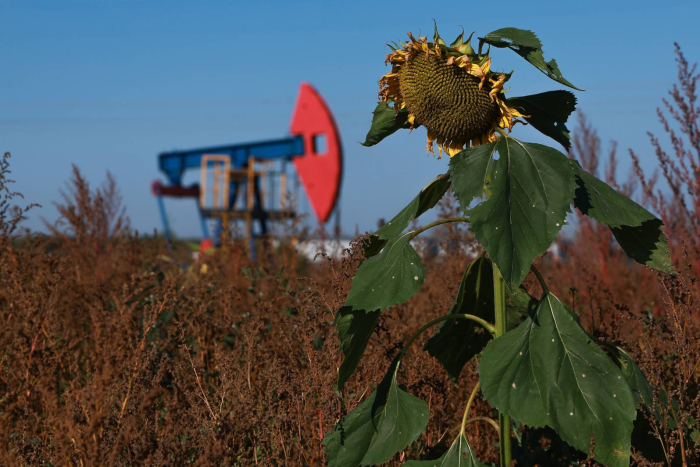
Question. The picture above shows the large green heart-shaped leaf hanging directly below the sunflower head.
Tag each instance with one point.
(529, 188)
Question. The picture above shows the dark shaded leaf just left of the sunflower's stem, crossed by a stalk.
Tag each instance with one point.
(457, 341)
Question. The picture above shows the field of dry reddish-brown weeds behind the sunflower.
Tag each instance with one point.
(117, 349)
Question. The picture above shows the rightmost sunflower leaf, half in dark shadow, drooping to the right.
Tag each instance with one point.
(638, 231)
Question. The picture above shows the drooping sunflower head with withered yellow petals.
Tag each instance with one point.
(450, 90)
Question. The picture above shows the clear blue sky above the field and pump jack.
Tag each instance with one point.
(107, 85)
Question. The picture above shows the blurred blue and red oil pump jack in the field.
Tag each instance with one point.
(249, 182)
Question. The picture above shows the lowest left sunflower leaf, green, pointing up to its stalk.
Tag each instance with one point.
(384, 424)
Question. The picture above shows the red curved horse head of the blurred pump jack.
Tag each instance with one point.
(320, 174)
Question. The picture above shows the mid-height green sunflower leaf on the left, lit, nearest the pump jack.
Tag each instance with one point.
(387, 279)
